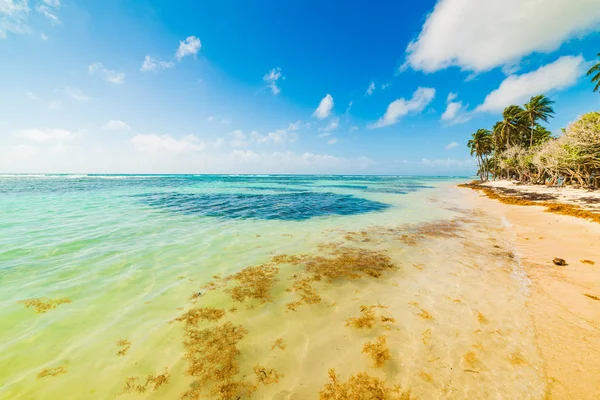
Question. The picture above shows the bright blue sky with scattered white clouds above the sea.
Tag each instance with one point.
(276, 87)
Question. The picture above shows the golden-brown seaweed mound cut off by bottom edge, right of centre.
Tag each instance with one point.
(360, 387)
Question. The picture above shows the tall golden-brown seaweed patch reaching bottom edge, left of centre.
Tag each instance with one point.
(212, 356)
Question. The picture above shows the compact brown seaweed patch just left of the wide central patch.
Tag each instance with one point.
(253, 283)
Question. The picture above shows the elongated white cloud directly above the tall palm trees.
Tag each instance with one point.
(517, 89)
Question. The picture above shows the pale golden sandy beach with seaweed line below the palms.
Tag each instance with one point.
(563, 301)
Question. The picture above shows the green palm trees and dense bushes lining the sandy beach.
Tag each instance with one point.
(519, 148)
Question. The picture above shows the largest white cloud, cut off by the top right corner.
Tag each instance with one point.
(479, 35)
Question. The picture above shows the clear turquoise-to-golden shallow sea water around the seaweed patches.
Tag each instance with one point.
(128, 251)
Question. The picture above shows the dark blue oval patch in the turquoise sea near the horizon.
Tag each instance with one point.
(285, 206)
